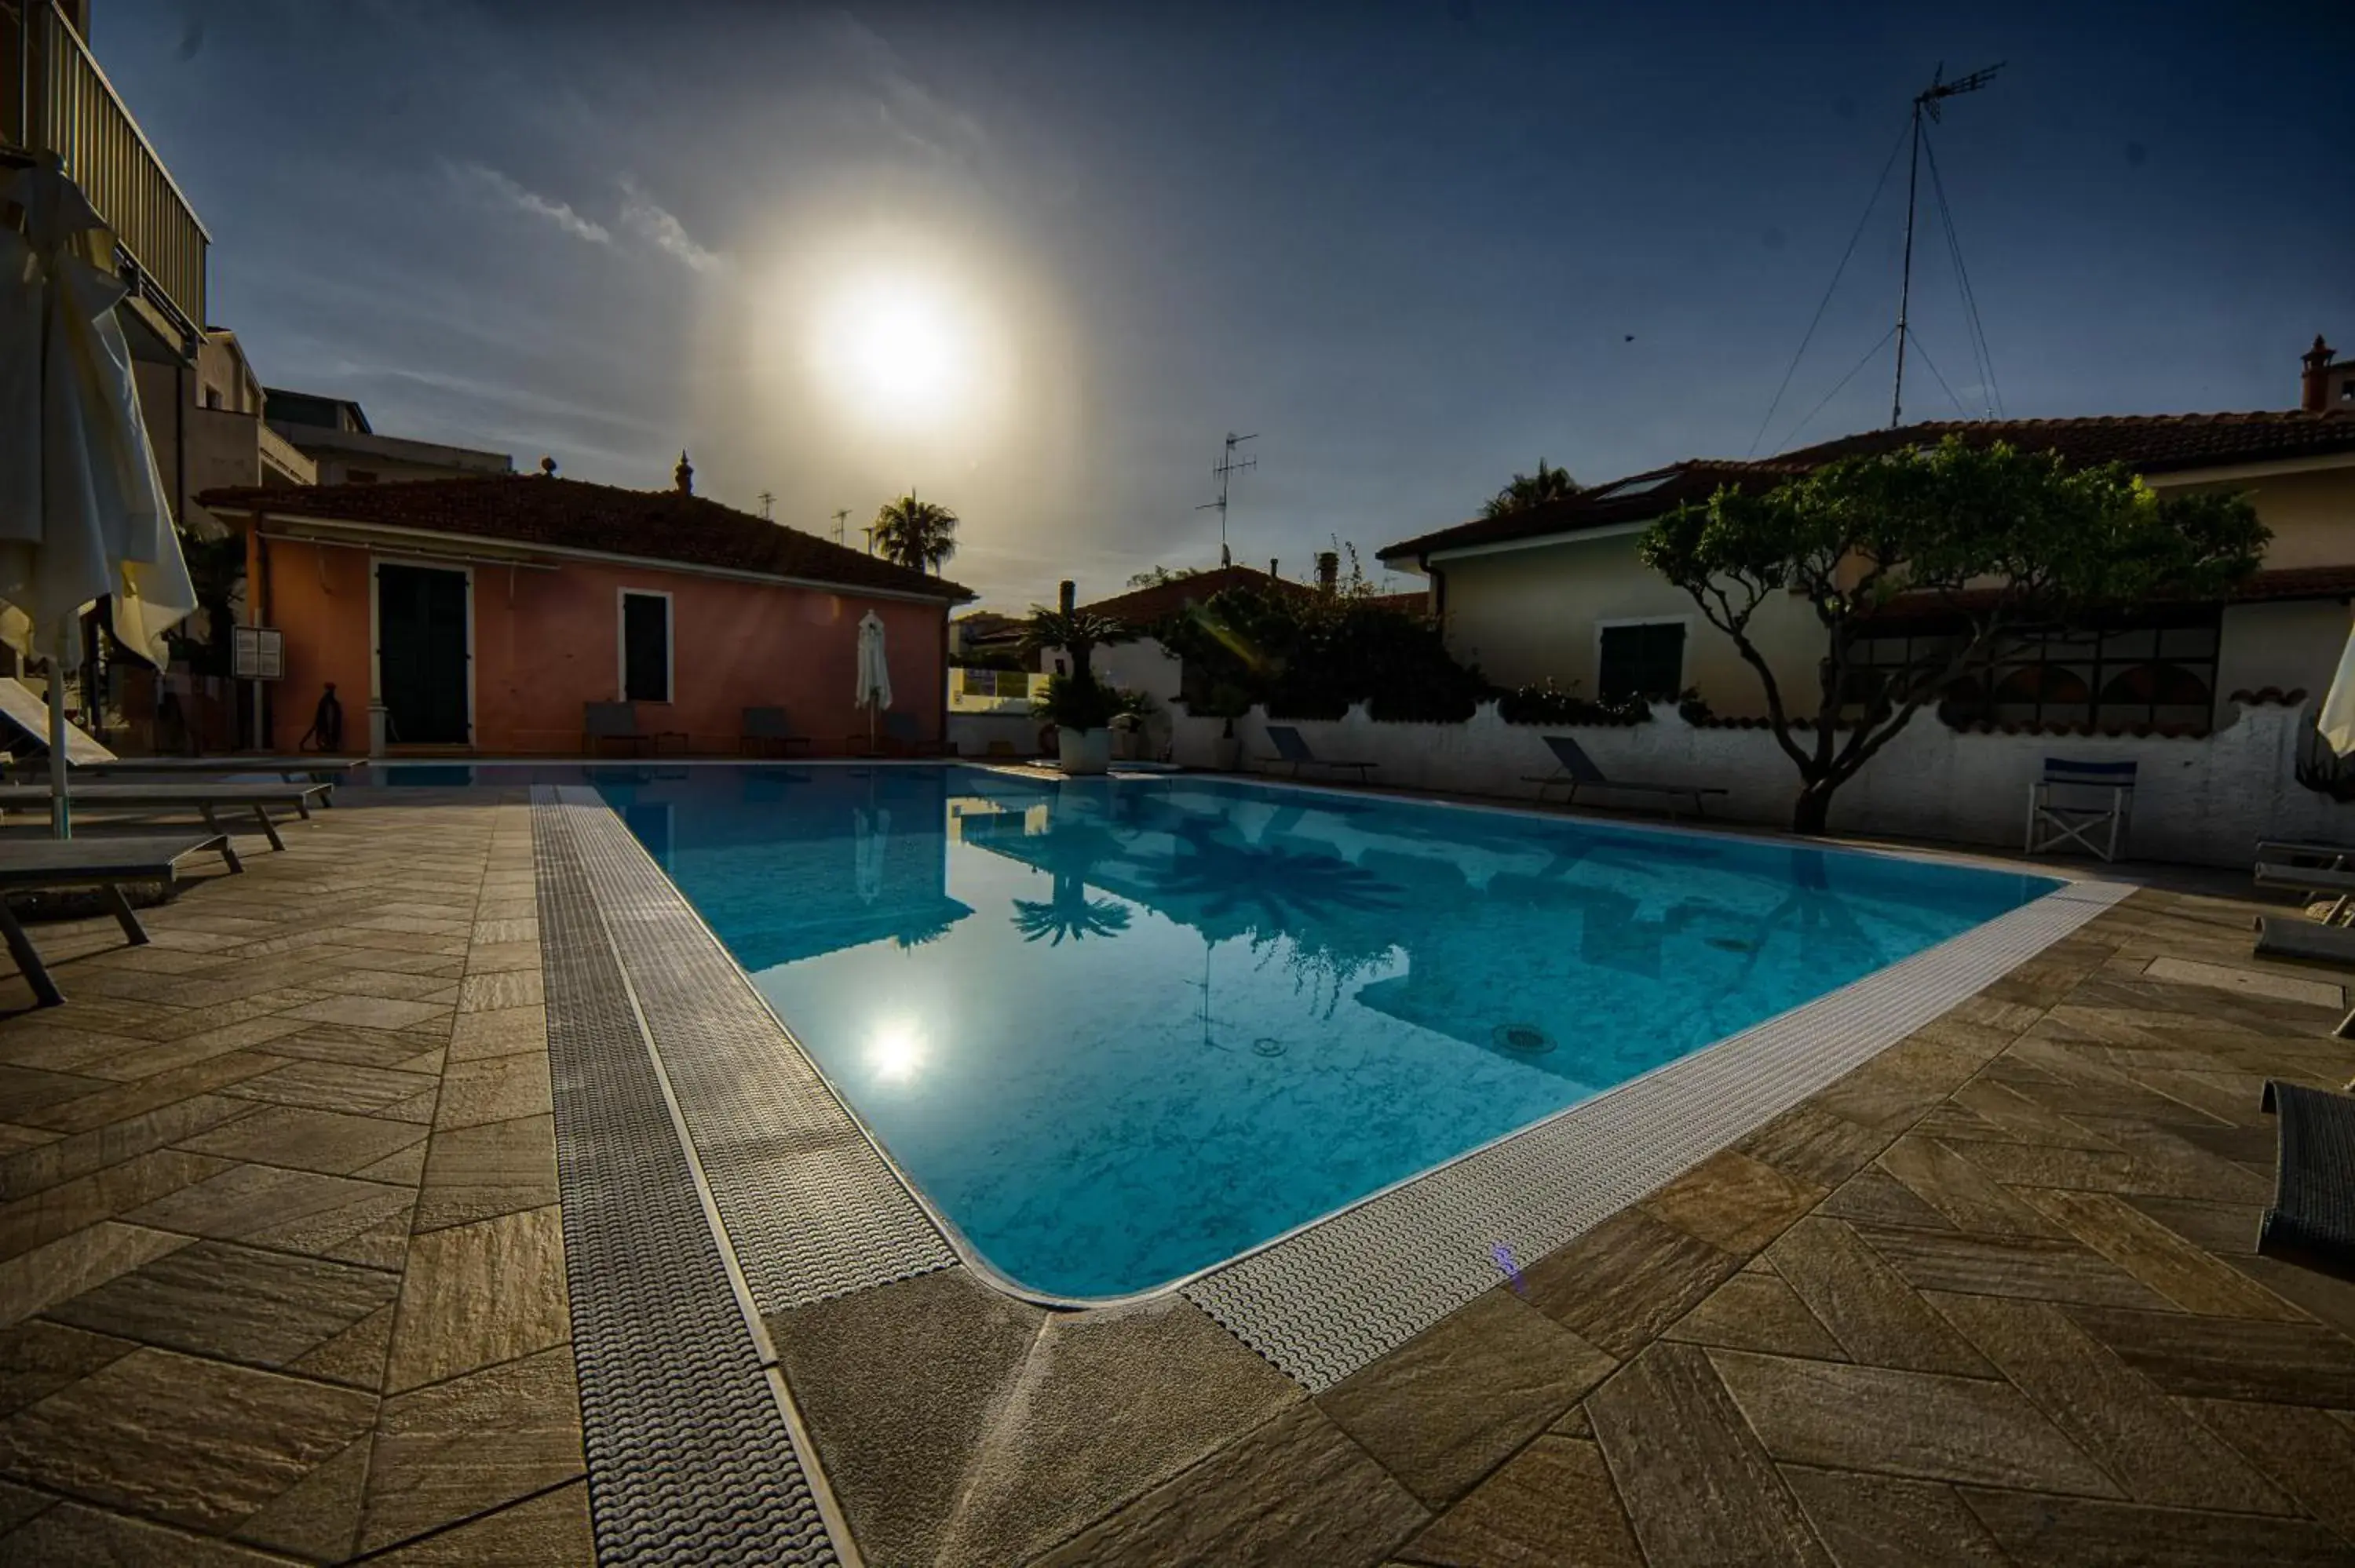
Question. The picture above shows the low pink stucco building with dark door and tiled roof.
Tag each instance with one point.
(484, 613)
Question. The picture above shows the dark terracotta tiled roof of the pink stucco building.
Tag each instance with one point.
(569, 514)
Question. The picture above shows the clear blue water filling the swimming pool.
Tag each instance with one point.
(1122, 1030)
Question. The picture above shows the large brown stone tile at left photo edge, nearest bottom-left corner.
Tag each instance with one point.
(185, 1440)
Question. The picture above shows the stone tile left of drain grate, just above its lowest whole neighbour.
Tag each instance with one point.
(477, 1296)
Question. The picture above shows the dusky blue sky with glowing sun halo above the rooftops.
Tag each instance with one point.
(1412, 246)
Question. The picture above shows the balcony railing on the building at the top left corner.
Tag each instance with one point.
(60, 102)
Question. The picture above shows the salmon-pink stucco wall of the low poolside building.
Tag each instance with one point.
(548, 642)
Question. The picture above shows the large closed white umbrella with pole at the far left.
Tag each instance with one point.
(84, 512)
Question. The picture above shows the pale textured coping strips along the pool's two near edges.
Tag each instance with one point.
(811, 1207)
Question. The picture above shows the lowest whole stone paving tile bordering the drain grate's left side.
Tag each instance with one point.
(470, 1447)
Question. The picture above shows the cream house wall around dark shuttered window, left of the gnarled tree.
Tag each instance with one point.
(1534, 616)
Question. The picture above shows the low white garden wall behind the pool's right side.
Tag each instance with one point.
(2203, 802)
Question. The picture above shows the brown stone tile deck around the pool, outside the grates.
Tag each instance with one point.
(281, 1280)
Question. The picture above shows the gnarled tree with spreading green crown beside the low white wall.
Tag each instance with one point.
(1986, 536)
